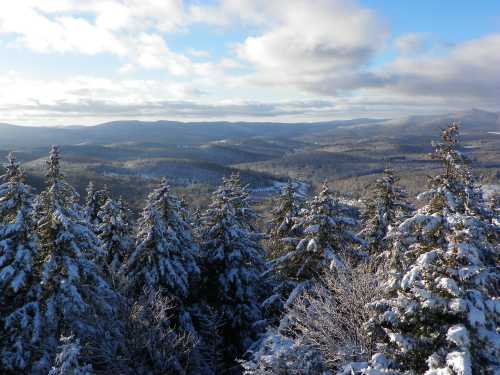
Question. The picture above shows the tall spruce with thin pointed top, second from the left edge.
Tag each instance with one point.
(74, 297)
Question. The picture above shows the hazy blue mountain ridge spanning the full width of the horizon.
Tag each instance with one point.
(198, 133)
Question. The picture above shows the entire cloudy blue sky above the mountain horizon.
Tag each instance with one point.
(82, 62)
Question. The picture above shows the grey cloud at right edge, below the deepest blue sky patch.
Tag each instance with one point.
(470, 70)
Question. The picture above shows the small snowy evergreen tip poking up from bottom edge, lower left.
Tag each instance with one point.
(68, 360)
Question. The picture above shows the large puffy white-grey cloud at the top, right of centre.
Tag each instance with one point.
(301, 43)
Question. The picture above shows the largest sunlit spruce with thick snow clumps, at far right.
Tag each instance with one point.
(442, 317)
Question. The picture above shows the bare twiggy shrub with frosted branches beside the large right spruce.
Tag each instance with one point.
(331, 315)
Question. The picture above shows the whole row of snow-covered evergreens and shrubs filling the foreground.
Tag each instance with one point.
(401, 290)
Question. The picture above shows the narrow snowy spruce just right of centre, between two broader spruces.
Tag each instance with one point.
(283, 230)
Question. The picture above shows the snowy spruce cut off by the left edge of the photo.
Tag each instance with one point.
(19, 313)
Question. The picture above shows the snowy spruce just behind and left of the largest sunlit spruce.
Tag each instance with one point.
(384, 208)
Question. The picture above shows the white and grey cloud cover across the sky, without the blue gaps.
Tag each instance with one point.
(315, 50)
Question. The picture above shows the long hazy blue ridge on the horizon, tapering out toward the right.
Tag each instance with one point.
(161, 132)
